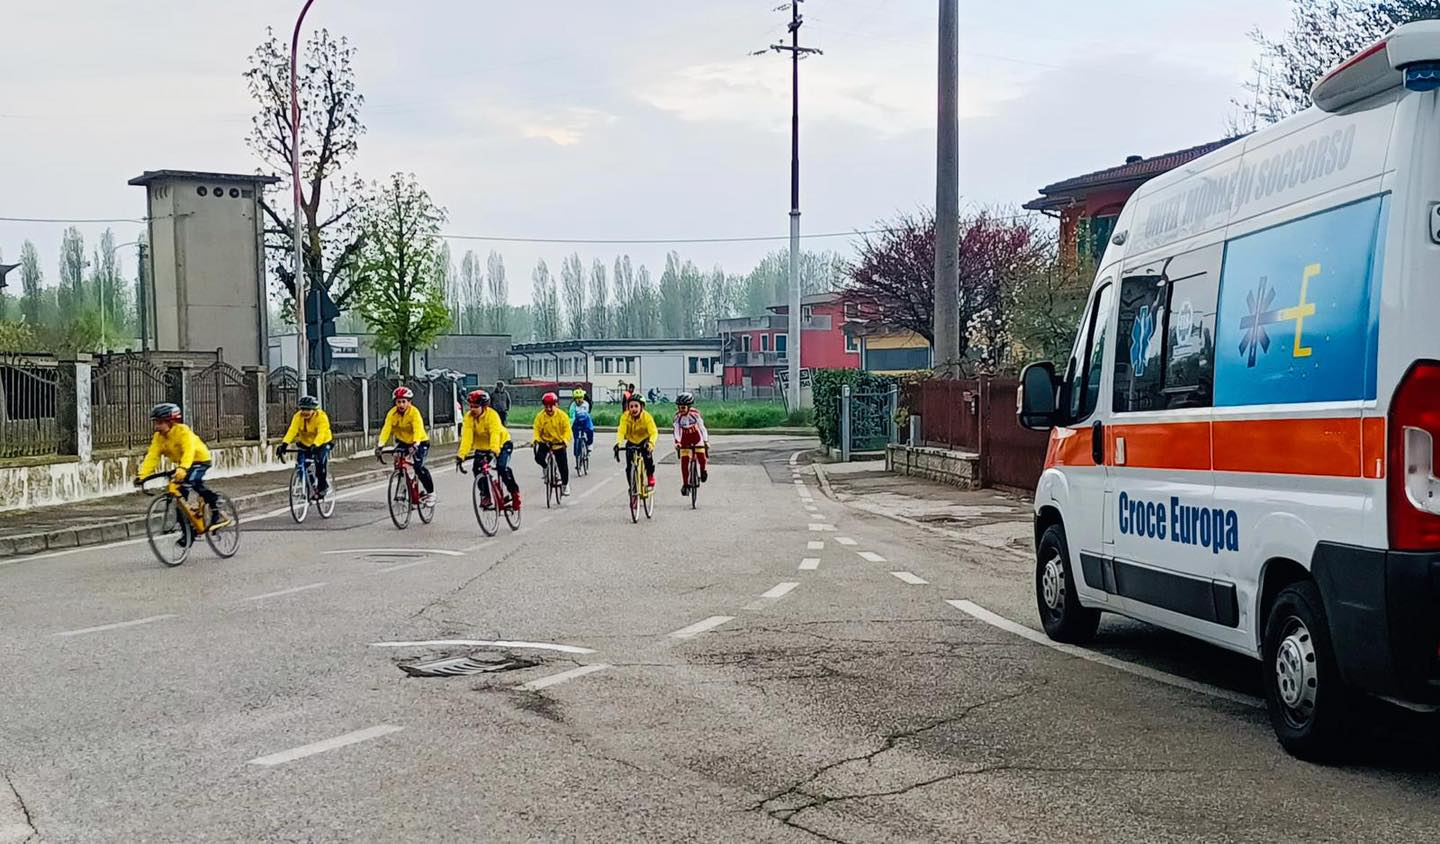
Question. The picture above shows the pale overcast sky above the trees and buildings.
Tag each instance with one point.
(578, 119)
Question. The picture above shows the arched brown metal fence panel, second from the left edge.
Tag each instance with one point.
(123, 390)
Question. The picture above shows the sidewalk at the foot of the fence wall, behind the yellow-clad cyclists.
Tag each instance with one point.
(117, 518)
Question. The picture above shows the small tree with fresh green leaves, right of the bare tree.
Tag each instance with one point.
(402, 293)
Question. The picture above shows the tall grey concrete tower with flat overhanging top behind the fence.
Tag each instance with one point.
(207, 264)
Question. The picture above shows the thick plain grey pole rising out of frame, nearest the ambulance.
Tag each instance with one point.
(948, 198)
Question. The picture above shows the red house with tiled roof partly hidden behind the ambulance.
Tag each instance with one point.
(1089, 205)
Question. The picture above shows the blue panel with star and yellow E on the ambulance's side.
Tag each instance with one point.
(1298, 313)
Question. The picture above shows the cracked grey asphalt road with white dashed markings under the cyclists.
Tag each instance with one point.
(752, 670)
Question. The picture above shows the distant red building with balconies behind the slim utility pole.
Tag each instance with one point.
(755, 348)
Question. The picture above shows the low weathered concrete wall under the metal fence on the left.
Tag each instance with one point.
(110, 475)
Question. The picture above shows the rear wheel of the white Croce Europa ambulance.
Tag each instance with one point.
(1308, 702)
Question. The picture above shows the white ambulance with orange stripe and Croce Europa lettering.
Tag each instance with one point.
(1243, 439)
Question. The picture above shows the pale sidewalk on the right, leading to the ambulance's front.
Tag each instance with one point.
(986, 518)
